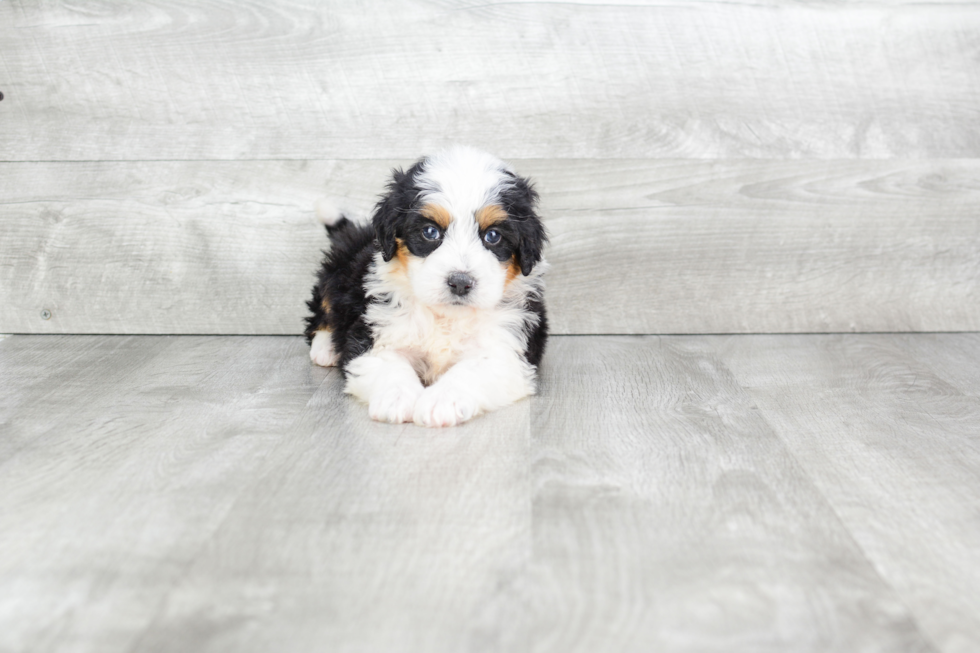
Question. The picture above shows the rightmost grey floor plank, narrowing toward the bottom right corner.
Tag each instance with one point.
(894, 447)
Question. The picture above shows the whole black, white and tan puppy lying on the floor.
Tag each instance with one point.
(435, 310)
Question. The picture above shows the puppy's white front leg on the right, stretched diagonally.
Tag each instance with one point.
(473, 386)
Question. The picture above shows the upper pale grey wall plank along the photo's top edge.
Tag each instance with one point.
(218, 79)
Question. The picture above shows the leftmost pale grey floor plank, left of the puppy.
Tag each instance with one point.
(130, 457)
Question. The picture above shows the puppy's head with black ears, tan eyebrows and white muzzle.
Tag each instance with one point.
(460, 226)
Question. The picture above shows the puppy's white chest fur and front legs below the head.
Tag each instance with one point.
(470, 358)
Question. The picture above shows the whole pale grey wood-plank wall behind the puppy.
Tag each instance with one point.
(704, 166)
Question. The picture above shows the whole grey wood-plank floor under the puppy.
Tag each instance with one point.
(688, 493)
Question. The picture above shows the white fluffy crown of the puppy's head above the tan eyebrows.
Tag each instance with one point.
(463, 180)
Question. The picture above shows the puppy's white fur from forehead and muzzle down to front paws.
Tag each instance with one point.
(467, 351)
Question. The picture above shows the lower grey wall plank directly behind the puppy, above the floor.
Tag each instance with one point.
(638, 246)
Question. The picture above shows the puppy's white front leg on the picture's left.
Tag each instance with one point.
(387, 382)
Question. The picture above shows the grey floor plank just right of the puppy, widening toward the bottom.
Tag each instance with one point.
(669, 516)
